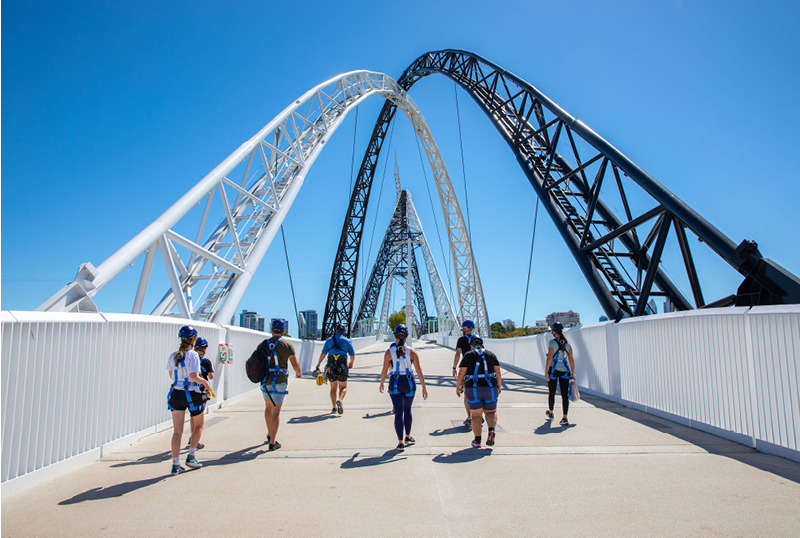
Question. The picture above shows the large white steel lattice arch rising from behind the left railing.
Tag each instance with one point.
(209, 280)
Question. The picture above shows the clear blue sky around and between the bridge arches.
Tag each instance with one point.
(112, 110)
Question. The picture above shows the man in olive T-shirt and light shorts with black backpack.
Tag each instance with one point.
(274, 388)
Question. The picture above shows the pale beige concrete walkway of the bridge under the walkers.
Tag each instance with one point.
(614, 472)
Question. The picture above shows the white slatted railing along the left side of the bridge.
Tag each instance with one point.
(77, 386)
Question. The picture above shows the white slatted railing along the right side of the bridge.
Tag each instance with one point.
(734, 372)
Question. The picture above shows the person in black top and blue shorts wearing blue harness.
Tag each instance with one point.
(479, 375)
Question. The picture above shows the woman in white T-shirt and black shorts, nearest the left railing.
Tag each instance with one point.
(185, 394)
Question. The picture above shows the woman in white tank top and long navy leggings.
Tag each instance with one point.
(402, 387)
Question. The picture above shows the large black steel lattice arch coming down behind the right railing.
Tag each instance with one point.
(545, 139)
